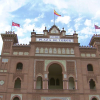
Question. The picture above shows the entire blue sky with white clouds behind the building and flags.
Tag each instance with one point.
(78, 15)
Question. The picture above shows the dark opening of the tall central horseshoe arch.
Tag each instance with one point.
(55, 76)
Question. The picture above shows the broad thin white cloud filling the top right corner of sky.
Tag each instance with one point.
(78, 6)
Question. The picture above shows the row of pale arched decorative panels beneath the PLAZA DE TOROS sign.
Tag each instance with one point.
(54, 50)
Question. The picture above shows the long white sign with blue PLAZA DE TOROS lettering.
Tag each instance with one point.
(53, 40)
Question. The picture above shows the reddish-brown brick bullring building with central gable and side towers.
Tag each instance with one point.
(53, 66)
